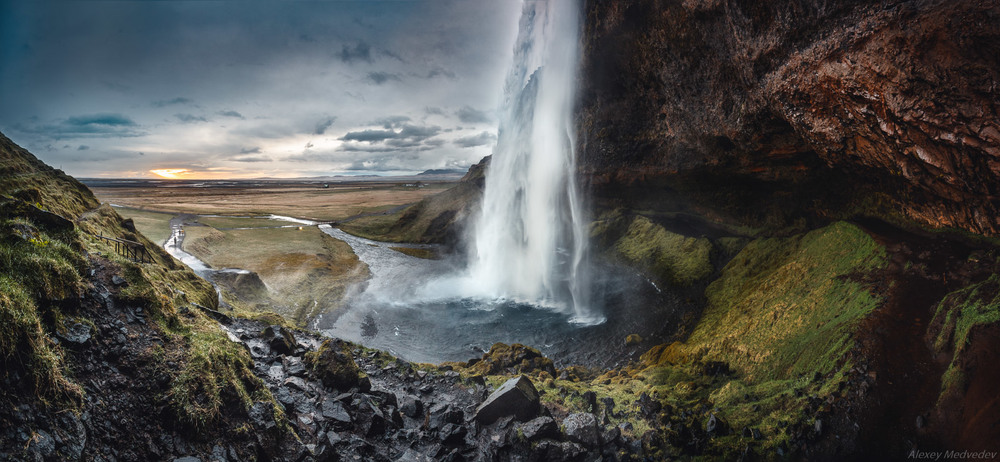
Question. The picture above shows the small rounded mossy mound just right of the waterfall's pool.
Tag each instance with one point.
(670, 257)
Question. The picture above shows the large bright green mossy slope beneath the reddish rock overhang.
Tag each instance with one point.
(785, 306)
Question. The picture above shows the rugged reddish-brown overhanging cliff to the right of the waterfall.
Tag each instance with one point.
(825, 99)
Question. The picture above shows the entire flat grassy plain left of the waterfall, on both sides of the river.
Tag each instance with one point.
(304, 271)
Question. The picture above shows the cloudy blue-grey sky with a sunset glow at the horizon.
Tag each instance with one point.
(251, 88)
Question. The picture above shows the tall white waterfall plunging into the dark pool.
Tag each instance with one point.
(530, 241)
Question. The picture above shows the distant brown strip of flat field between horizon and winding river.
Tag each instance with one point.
(320, 204)
